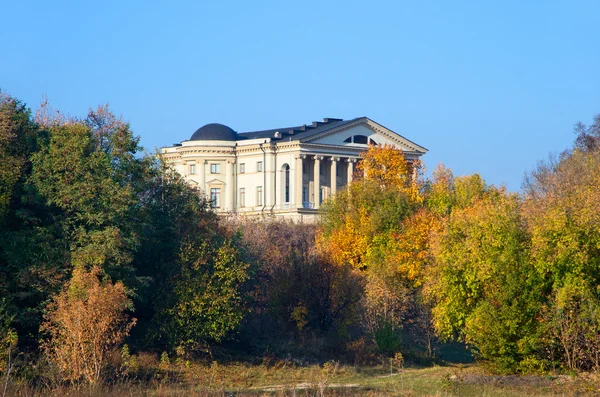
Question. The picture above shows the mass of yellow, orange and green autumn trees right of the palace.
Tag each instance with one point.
(513, 276)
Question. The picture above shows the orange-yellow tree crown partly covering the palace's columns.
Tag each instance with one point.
(384, 192)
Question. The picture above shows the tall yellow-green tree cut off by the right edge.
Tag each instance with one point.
(561, 202)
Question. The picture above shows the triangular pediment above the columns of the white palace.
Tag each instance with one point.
(363, 127)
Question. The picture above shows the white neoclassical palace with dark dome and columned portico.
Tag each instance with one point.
(282, 172)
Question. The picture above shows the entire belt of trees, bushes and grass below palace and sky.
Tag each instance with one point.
(109, 260)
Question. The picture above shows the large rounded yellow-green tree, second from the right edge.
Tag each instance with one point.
(486, 292)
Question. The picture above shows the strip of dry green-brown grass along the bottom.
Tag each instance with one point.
(287, 379)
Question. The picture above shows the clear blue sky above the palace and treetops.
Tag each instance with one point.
(487, 86)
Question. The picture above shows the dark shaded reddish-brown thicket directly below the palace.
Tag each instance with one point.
(297, 294)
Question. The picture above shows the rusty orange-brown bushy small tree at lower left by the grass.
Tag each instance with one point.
(84, 323)
